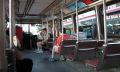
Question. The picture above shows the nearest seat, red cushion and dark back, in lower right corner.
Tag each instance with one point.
(110, 57)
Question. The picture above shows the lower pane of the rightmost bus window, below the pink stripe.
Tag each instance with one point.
(113, 25)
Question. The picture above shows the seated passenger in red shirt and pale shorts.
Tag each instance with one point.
(57, 46)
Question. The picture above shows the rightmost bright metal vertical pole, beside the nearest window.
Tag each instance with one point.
(105, 26)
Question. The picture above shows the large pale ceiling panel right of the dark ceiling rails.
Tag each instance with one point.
(39, 6)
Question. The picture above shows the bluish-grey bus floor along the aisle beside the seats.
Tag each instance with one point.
(42, 64)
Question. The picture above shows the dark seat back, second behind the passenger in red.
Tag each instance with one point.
(86, 50)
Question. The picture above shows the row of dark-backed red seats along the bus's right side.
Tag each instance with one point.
(94, 53)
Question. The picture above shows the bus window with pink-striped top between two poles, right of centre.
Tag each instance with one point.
(87, 21)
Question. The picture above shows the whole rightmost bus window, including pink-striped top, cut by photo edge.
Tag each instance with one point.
(113, 20)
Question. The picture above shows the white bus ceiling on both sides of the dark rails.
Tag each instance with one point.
(37, 7)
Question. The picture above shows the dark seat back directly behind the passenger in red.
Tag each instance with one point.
(68, 47)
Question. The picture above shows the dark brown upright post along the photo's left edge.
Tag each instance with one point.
(3, 58)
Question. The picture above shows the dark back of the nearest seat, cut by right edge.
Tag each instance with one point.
(112, 55)
